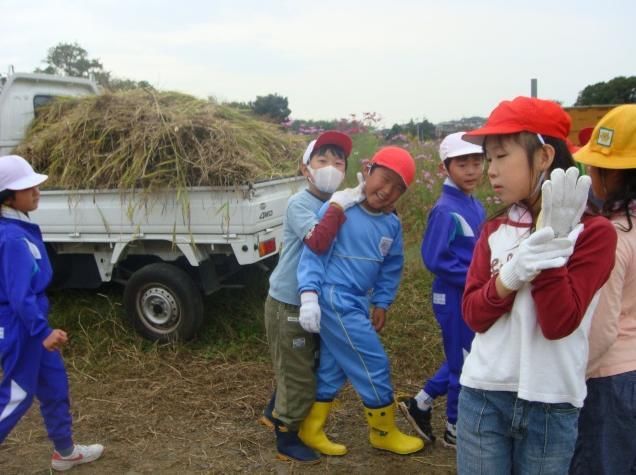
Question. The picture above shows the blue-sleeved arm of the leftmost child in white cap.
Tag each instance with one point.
(18, 266)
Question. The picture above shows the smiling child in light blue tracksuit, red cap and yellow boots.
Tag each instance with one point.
(364, 264)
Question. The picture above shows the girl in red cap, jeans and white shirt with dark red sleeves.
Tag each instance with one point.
(530, 293)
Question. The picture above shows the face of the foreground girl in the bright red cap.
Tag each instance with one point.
(509, 173)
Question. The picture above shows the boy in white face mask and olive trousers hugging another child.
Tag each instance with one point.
(293, 350)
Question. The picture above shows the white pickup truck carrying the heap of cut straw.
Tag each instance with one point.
(167, 252)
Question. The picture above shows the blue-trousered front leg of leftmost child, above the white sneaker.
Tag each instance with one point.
(53, 393)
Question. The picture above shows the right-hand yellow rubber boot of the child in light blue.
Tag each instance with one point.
(385, 435)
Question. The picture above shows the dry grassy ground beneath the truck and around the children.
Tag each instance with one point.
(192, 407)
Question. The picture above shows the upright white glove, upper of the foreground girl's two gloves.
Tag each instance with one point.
(563, 200)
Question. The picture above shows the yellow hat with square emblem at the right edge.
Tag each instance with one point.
(613, 141)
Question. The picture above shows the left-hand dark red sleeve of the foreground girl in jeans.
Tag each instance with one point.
(481, 305)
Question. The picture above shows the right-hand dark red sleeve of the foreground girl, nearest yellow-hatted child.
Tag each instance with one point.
(563, 295)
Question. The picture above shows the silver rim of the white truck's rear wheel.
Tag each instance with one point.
(159, 309)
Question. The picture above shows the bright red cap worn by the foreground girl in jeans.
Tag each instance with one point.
(524, 114)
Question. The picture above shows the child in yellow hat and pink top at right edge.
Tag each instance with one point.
(606, 441)
